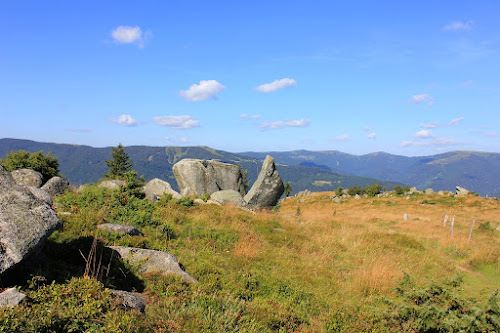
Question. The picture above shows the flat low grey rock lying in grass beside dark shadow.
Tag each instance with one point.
(151, 261)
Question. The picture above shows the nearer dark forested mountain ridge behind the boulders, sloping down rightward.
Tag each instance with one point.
(85, 164)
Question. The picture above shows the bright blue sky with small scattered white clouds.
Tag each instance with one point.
(405, 77)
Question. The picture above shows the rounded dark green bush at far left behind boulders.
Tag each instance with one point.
(47, 165)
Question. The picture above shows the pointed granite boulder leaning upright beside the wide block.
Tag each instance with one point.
(268, 188)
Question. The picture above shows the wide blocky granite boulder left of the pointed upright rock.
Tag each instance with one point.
(198, 177)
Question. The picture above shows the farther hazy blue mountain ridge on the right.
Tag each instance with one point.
(476, 171)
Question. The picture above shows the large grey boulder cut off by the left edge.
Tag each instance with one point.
(25, 222)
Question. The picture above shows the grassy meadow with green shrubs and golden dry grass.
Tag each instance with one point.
(313, 266)
